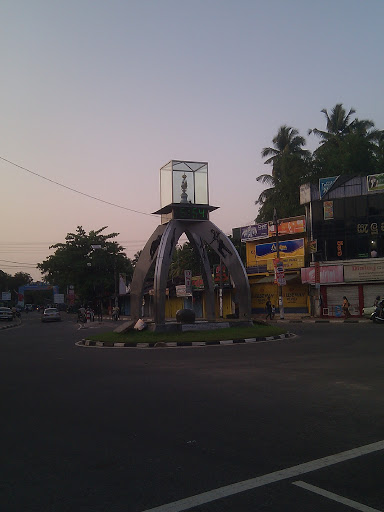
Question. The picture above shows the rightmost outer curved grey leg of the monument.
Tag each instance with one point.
(222, 245)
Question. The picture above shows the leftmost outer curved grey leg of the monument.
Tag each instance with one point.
(144, 264)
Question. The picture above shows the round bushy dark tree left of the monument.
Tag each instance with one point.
(92, 270)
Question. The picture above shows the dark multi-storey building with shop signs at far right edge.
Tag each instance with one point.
(345, 220)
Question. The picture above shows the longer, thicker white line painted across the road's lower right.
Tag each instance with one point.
(253, 483)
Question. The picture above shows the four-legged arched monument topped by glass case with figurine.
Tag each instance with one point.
(185, 208)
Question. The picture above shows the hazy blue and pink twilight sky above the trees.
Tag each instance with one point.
(98, 95)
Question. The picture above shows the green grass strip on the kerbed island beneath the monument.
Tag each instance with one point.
(231, 333)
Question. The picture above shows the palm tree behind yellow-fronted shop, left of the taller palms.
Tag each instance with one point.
(290, 167)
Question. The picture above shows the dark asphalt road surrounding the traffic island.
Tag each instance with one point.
(127, 430)
